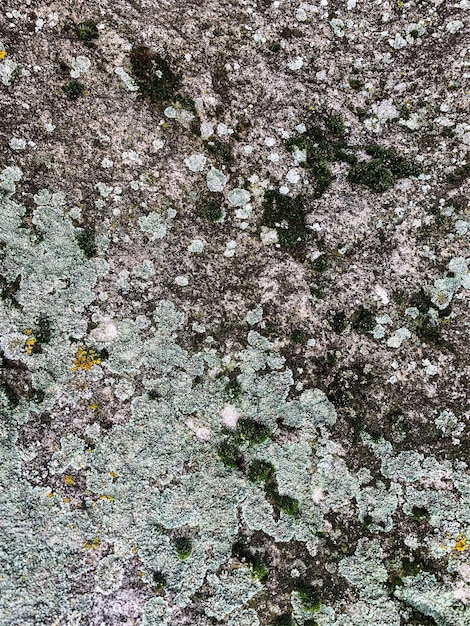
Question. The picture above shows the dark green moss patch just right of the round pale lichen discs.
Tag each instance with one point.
(287, 216)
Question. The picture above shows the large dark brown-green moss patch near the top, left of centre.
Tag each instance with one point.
(153, 74)
